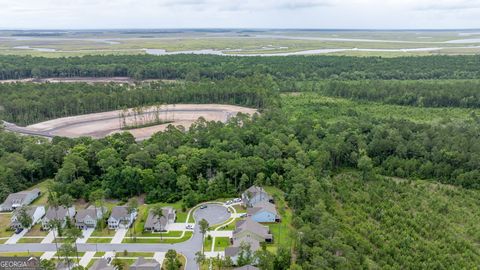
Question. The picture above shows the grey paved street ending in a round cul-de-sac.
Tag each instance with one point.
(214, 214)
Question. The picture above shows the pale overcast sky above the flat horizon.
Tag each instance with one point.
(319, 14)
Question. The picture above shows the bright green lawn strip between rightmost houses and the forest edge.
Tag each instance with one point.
(283, 231)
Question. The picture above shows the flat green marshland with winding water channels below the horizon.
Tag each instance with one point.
(240, 42)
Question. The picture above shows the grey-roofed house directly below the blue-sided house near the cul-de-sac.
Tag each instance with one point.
(249, 228)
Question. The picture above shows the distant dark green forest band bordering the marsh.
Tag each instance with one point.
(194, 67)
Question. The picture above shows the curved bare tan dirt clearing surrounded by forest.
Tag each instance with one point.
(99, 125)
